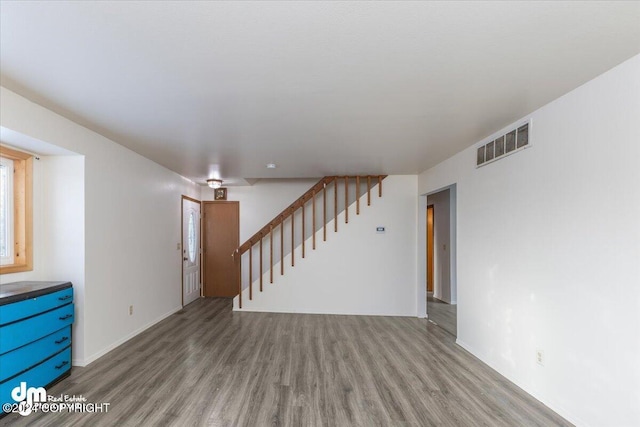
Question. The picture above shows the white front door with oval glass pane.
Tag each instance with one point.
(190, 251)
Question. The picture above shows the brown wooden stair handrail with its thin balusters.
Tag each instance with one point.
(310, 195)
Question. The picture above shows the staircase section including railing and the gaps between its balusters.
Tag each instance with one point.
(302, 215)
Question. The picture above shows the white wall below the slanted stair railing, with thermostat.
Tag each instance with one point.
(356, 271)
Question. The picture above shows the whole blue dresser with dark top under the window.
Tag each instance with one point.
(35, 334)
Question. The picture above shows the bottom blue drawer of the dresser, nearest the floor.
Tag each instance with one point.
(38, 376)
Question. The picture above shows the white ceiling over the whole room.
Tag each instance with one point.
(219, 89)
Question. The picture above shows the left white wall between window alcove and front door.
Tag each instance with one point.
(131, 226)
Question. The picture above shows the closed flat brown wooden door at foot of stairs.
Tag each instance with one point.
(221, 236)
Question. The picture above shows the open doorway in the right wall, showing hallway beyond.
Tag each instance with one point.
(440, 262)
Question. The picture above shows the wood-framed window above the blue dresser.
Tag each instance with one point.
(16, 217)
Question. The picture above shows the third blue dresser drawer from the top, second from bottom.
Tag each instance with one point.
(31, 354)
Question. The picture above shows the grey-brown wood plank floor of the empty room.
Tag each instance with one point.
(207, 365)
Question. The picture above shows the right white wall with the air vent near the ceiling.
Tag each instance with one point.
(548, 250)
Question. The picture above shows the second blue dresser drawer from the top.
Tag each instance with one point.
(17, 334)
